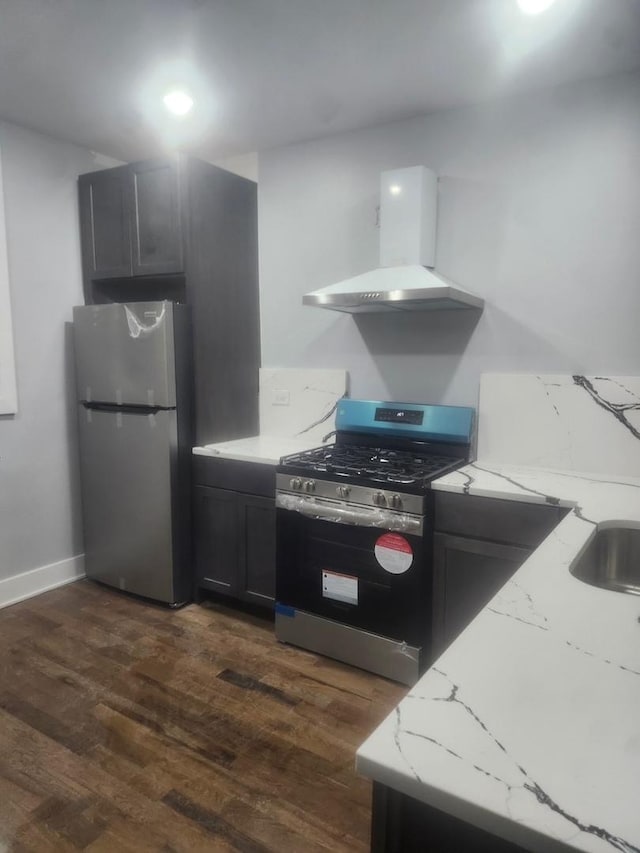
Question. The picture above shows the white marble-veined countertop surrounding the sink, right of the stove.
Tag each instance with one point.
(529, 724)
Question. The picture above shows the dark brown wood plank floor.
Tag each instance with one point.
(125, 726)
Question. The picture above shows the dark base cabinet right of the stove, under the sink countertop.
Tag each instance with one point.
(478, 545)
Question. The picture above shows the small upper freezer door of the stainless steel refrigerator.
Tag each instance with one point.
(125, 353)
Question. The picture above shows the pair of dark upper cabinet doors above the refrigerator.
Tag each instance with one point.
(130, 220)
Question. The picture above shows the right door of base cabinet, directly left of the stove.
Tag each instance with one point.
(258, 551)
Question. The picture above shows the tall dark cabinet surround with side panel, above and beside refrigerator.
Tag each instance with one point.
(181, 229)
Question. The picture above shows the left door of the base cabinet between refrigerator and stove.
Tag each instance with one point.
(217, 539)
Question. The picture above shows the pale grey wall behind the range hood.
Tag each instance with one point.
(539, 213)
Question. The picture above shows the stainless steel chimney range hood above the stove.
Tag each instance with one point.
(405, 280)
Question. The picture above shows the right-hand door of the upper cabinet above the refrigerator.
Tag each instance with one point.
(155, 212)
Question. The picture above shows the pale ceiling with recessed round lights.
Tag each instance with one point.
(269, 72)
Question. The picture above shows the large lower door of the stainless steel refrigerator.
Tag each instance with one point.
(128, 461)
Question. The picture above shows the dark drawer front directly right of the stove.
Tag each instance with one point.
(511, 522)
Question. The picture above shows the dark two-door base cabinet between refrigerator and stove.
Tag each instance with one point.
(235, 532)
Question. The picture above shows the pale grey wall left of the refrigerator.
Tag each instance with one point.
(40, 520)
